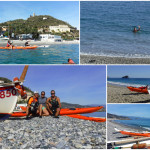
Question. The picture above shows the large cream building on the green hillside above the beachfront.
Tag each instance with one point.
(60, 28)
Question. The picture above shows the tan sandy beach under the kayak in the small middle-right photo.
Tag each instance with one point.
(118, 94)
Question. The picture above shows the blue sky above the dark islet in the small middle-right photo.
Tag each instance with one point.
(134, 71)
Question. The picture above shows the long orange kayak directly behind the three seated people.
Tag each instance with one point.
(65, 111)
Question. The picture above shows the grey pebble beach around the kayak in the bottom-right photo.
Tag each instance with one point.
(112, 135)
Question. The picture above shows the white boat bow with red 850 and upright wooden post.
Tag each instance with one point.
(9, 93)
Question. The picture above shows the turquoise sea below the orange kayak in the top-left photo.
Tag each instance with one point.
(54, 54)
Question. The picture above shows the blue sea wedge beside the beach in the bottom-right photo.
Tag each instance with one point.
(137, 123)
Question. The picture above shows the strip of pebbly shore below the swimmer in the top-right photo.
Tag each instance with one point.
(93, 59)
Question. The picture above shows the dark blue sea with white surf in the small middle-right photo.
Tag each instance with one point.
(129, 81)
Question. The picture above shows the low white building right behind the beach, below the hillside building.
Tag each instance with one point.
(50, 38)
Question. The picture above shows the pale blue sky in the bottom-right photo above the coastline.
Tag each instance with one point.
(137, 110)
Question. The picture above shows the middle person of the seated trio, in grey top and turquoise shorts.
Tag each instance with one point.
(42, 105)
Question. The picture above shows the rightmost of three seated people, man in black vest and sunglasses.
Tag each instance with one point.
(53, 105)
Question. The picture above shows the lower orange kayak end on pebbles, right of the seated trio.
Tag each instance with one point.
(78, 116)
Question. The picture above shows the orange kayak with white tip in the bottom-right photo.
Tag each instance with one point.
(147, 134)
